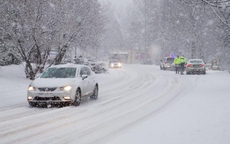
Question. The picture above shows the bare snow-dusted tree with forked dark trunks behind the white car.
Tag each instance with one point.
(37, 27)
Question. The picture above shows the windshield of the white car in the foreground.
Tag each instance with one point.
(59, 73)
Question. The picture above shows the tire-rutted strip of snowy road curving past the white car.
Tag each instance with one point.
(97, 118)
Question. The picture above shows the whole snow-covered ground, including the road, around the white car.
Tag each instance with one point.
(138, 104)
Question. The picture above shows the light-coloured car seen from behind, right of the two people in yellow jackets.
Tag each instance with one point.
(195, 66)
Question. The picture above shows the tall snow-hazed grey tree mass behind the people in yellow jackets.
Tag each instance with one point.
(181, 27)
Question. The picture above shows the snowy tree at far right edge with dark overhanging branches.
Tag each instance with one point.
(218, 20)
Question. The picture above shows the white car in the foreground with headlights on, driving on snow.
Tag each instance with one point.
(63, 85)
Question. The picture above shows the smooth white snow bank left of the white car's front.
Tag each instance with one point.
(13, 86)
